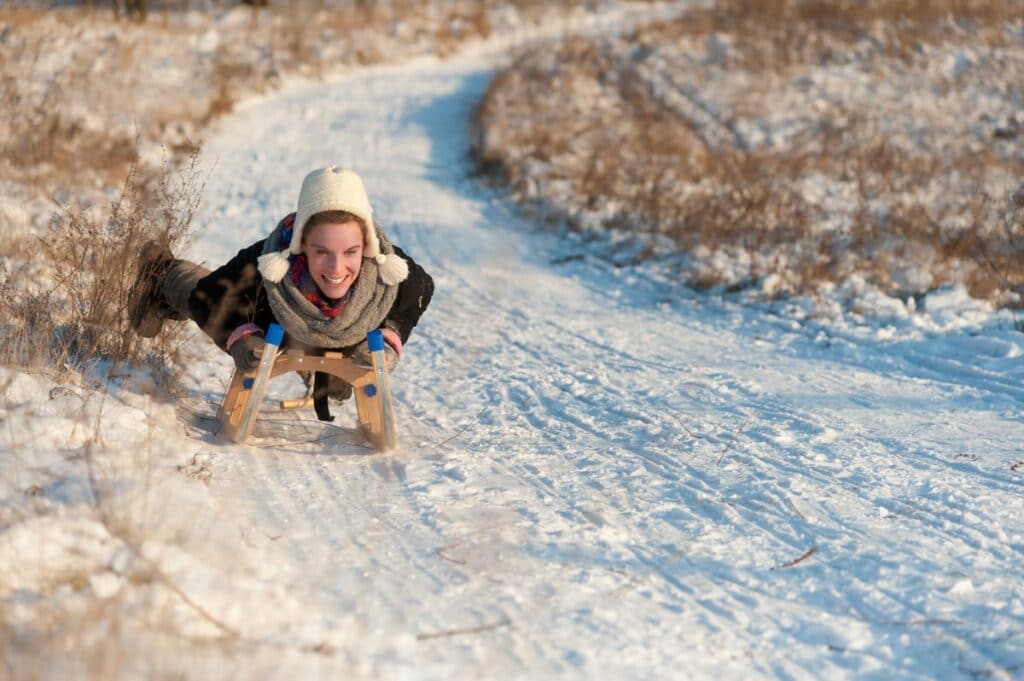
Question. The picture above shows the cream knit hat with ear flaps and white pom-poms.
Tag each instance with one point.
(334, 189)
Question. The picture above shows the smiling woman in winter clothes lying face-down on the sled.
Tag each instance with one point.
(327, 274)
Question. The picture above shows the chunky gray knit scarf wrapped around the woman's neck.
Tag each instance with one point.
(370, 303)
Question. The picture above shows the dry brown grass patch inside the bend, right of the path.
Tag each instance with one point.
(605, 150)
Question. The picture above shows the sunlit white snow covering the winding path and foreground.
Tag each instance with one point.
(602, 475)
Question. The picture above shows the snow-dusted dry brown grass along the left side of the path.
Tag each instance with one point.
(66, 141)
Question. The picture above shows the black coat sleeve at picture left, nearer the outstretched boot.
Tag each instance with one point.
(231, 296)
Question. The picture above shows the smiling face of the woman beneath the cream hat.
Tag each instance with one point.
(334, 251)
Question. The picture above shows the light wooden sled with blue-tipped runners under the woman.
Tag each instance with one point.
(372, 389)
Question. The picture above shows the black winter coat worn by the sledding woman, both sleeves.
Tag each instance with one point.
(234, 295)
